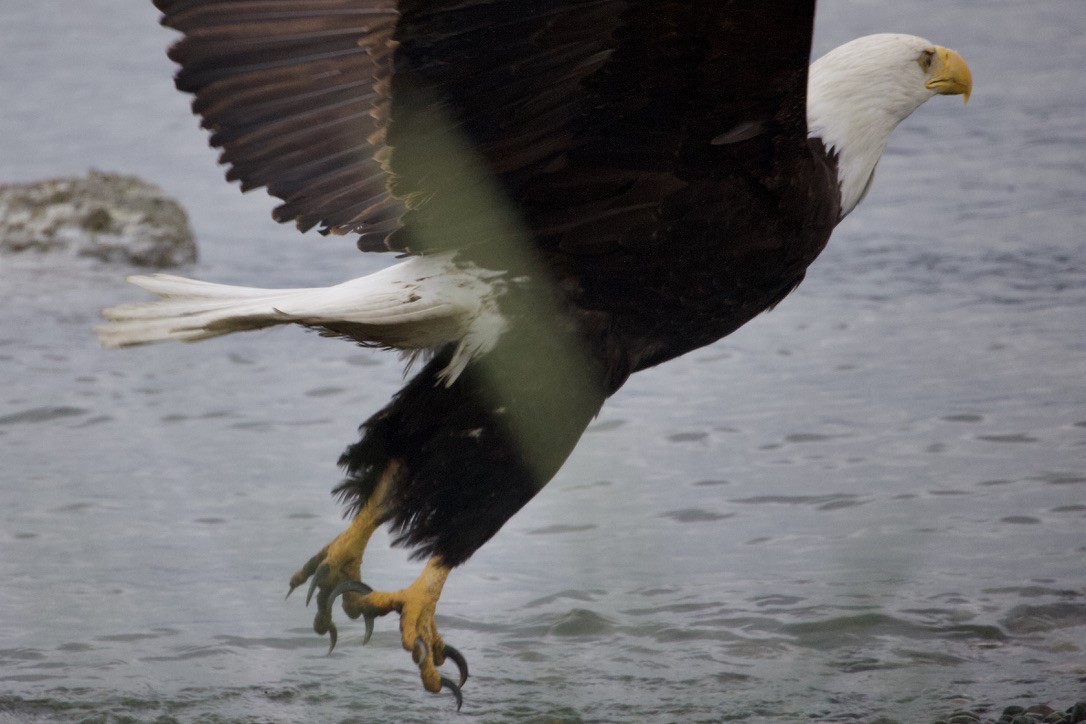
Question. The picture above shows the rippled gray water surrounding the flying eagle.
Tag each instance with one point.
(872, 502)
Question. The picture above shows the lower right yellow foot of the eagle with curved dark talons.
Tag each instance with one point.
(416, 606)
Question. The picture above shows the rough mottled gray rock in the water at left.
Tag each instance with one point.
(107, 217)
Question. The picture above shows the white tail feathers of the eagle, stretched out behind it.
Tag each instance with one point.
(421, 304)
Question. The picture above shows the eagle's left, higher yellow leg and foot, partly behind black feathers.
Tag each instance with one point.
(340, 563)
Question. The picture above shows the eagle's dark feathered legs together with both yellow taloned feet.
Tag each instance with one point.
(446, 466)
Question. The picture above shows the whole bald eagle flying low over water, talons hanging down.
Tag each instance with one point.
(584, 189)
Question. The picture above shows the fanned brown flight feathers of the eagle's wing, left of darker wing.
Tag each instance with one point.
(287, 88)
